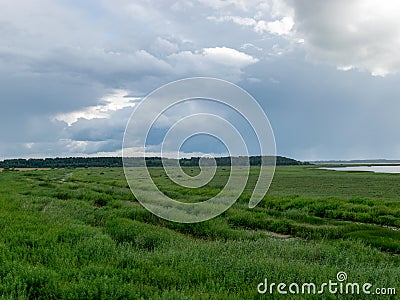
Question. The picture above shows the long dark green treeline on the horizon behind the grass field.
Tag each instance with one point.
(80, 162)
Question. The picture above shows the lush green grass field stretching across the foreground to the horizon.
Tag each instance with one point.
(81, 234)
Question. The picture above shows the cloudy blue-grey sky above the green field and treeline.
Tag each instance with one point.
(326, 73)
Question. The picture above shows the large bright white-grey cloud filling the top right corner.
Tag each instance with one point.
(359, 34)
